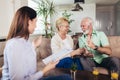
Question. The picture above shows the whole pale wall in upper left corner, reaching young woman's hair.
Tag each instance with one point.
(7, 9)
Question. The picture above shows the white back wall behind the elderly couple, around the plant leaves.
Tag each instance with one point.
(89, 11)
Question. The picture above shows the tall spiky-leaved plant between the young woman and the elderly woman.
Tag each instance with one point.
(45, 9)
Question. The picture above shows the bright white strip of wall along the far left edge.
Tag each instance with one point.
(6, 13)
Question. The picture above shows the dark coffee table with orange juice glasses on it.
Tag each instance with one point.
(82, 75)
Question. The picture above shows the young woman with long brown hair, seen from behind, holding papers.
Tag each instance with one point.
(19, 53)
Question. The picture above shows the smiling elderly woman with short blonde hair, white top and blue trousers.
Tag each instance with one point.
(62, 41)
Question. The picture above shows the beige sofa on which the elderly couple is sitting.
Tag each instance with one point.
(44, 50)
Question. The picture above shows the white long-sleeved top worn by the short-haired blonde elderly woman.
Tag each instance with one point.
(57, 44)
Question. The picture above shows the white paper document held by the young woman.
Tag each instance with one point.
(57, 56)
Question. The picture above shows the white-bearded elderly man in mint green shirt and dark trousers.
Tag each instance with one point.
(97, 49)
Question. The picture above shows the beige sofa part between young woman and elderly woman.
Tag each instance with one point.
(43, 51)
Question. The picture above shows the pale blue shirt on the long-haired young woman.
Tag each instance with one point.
(20, 61)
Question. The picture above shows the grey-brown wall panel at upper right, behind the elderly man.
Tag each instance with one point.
(105, 19)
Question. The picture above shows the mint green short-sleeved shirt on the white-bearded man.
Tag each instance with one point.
(98, 38)
